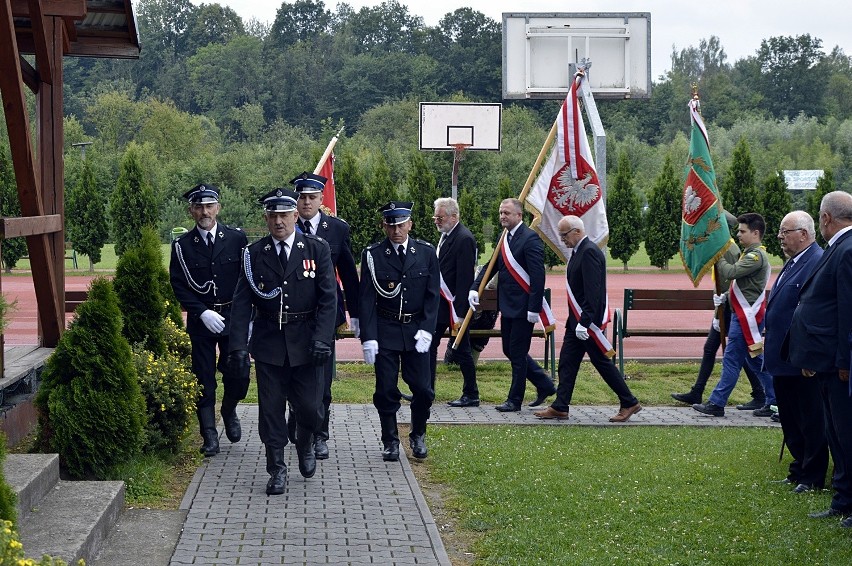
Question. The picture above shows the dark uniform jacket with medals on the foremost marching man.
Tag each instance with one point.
(307, 293)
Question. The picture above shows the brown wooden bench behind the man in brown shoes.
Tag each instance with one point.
(658, 300)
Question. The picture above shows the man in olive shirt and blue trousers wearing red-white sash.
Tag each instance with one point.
(747, 295)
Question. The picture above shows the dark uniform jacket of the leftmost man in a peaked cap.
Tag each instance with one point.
(200, 264)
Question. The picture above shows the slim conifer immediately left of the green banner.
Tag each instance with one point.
(664, 217)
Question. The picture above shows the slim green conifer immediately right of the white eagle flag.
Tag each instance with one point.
(624, 213)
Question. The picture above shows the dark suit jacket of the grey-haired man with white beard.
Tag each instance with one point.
(458, 264)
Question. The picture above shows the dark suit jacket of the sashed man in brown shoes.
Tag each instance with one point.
(586, 274)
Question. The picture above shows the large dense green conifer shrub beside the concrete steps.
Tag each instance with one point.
(91, 410)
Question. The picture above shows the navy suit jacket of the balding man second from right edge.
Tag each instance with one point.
(782, 301)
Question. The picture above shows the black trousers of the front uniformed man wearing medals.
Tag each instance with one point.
(301, 385)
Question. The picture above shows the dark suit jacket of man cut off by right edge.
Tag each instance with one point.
(818, 337)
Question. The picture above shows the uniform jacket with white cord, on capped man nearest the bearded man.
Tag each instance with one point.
(421, 287)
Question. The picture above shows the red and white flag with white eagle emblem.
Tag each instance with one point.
(568, 182)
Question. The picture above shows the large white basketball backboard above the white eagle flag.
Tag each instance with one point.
(537, 48)
